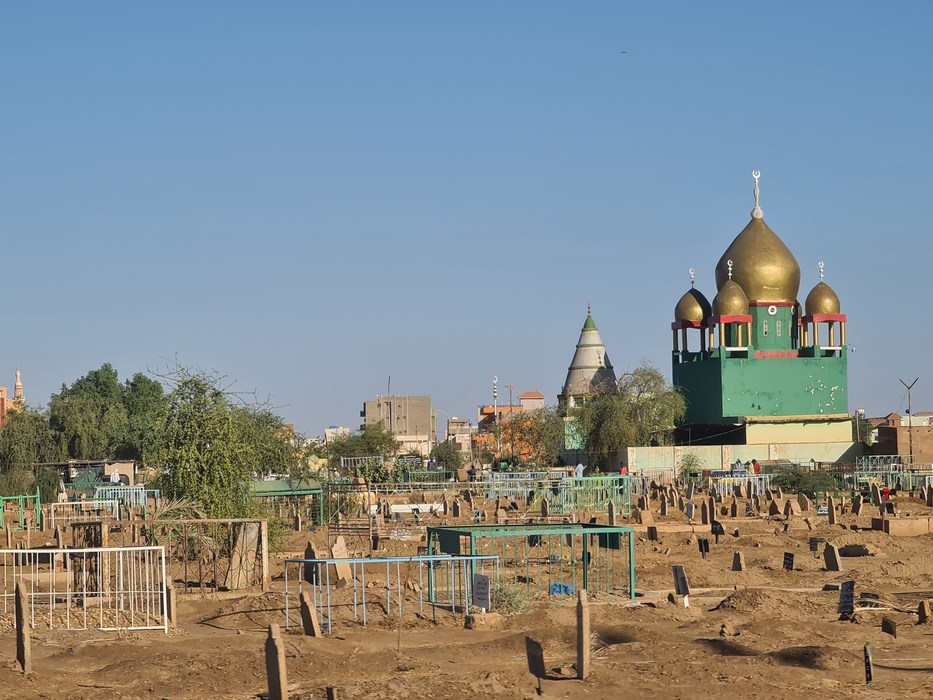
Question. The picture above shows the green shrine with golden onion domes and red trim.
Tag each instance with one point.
(754, 366)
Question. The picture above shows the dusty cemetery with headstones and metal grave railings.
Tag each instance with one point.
(493, 589)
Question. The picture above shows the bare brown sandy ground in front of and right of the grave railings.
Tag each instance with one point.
(782, 636)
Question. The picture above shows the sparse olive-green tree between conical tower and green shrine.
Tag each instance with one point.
(640, 409)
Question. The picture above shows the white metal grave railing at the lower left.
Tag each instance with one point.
(106, 588)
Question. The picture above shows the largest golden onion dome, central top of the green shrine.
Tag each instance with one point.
(764, 267)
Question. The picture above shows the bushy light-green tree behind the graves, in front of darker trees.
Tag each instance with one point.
(209, 449)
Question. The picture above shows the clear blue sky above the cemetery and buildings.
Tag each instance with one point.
(310, 197)
